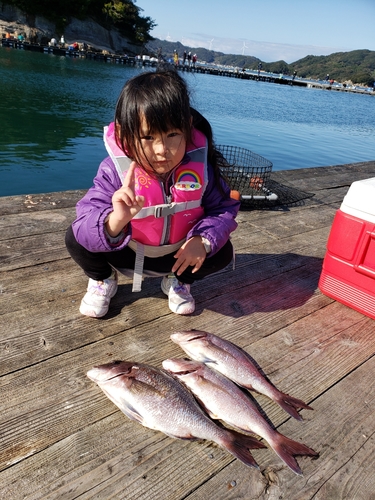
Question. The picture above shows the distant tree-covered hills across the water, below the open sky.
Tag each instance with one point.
(357, 66)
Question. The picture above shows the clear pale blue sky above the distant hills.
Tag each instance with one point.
(268, 29)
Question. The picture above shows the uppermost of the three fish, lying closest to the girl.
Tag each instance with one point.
(236, 364)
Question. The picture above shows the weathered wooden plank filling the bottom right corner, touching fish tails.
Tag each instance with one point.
(343, 432)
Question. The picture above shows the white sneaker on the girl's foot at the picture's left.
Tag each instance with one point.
(98, 296)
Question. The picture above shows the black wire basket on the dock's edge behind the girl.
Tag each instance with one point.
(245, 172)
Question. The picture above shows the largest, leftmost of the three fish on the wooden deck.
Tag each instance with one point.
(157, 400)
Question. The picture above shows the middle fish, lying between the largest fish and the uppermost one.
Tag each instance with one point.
(224, 400)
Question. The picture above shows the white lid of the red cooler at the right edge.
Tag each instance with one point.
(360, 200)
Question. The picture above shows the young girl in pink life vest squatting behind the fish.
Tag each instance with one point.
(159, 206)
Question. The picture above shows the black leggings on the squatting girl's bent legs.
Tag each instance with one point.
(97, 265)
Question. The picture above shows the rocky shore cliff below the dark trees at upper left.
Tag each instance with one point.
(39, 29)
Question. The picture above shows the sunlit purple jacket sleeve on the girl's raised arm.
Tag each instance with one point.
(93, 208)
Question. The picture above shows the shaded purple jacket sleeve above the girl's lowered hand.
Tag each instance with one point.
(218, 221)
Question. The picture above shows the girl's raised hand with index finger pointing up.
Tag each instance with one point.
(125, 204)
